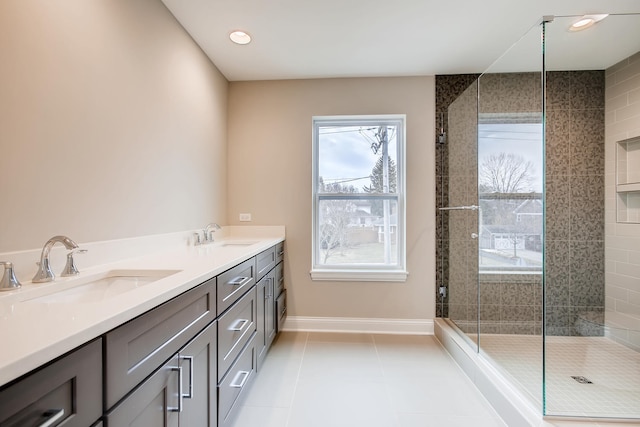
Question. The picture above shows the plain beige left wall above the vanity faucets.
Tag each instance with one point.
(112, 123)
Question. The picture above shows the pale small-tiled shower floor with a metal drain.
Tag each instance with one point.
(613, 369)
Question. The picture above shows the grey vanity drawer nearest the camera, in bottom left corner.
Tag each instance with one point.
(69, 390)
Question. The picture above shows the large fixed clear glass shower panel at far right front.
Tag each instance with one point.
(592, 279)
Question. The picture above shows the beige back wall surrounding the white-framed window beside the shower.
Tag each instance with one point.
(270, 177)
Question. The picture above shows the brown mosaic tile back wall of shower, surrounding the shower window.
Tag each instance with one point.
(575, 204)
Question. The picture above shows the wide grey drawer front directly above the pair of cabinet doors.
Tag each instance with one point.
(137, 348)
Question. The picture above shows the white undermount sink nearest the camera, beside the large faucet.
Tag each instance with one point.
(102, 286)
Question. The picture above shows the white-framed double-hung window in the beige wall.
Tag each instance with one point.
(358, 198)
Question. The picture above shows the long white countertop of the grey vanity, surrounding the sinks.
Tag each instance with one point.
(32, 333)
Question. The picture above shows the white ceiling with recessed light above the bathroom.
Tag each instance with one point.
(297, 39)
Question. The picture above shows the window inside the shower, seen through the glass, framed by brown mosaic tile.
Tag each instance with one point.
(510, 194)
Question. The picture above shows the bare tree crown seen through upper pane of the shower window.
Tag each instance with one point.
(506, 173)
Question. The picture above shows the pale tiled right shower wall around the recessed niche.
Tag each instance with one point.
(622, 302)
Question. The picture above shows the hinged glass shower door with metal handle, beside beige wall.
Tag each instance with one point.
(460, 214)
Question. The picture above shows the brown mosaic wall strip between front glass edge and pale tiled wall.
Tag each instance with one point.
(574, 246)
